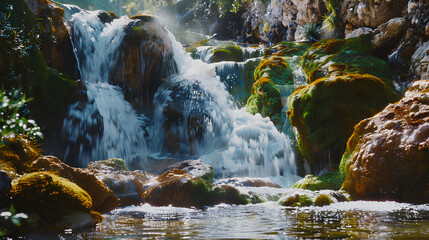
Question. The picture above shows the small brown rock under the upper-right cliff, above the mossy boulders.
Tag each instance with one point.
(388, 35)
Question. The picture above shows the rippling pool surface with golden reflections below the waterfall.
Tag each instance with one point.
(375, 220)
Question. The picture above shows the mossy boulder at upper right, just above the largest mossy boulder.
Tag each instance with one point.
(337, 57)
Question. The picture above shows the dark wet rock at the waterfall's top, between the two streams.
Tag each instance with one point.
(145, 59)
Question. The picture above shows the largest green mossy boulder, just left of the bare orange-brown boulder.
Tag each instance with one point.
(325, 112)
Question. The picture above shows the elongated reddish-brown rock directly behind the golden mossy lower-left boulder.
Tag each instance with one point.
(103, 199)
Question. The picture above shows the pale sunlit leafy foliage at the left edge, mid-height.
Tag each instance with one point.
(13, 114)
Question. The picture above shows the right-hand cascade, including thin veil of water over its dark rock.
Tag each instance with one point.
(233, 141)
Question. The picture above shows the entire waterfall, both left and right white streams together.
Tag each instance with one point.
(194, 116)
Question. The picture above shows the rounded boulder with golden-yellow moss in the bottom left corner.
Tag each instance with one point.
(55, 200)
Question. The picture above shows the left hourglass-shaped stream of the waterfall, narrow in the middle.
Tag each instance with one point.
(102, 125)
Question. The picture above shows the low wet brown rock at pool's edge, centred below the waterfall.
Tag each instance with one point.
(175, 187)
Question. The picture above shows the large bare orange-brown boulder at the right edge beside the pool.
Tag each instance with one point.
(387, 155)
